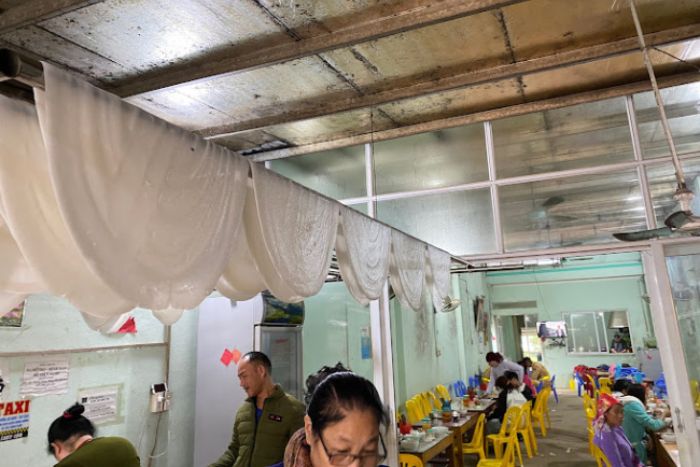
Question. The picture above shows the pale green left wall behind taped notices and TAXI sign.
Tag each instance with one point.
(52, 324)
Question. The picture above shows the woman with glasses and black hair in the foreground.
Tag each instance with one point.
(341, 426)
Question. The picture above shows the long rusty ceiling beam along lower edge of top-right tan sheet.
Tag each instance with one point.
(325, 106)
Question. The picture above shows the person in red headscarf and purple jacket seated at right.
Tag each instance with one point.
(610, 437)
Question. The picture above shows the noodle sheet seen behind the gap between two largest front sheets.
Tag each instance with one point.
(241, 279)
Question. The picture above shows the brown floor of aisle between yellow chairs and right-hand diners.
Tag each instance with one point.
(566, 444)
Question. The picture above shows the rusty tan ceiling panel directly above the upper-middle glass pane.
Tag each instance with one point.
(452, 103)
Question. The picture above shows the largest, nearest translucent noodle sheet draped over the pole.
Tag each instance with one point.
(151, 207)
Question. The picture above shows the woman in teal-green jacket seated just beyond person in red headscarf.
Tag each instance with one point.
(637, 420)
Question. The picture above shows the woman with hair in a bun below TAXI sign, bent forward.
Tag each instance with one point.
(72, 442)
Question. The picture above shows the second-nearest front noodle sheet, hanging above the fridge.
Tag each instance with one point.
(291, 234)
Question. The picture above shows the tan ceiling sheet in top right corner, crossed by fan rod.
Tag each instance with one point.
(539, 27)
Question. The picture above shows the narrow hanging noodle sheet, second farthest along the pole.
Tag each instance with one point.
(407, 270)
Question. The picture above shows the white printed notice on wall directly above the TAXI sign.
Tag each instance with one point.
(45, 376)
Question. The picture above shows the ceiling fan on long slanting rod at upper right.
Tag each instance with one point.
(682, 220)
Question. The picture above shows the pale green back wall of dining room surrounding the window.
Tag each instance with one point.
(602, 283)
